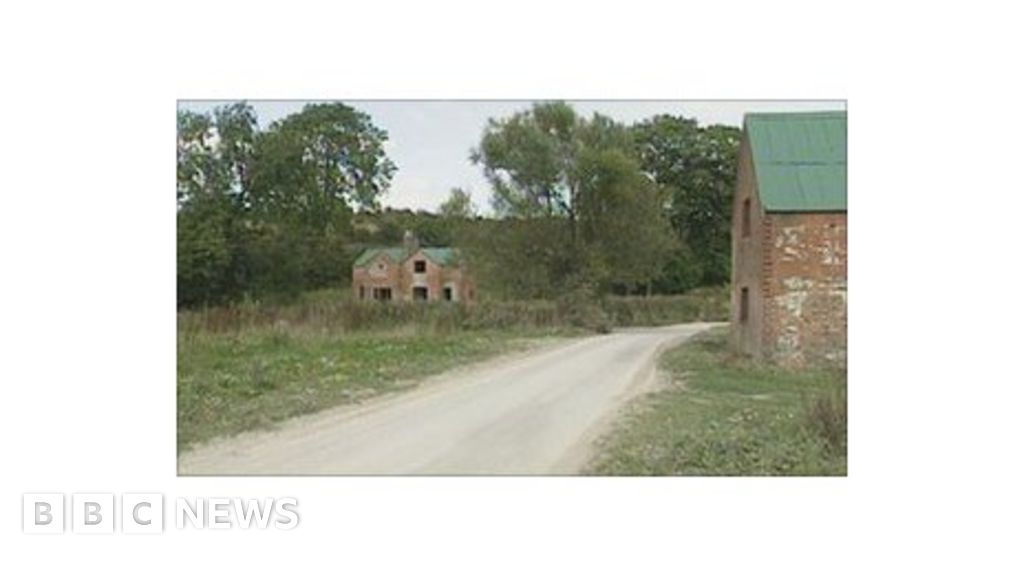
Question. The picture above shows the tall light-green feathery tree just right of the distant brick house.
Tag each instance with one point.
(547, 163)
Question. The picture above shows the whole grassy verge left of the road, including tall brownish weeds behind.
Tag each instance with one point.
(250, 365)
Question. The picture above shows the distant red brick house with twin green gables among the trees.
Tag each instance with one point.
(411, 273)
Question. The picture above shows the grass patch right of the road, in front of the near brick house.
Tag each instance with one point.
(723, 416)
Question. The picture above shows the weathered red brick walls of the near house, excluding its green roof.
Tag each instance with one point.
(794, 269)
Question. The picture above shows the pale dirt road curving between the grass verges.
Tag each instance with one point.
(532, 415)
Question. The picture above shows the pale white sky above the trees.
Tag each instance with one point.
(430, 141)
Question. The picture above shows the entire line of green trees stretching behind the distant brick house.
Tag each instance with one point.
(579, 203)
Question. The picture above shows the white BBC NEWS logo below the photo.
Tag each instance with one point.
(144, 514)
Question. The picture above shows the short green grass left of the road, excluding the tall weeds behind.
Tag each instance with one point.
(238, 381)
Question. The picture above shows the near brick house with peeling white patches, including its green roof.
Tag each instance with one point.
(789, 239)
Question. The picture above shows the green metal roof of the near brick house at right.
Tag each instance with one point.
(799, 160)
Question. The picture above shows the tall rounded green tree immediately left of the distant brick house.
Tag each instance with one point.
(314, 170)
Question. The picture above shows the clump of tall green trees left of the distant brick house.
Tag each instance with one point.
(269, 214)
